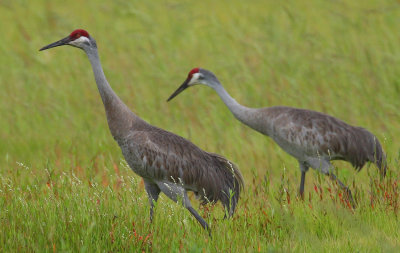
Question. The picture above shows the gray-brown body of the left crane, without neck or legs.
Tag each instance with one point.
(163, 158)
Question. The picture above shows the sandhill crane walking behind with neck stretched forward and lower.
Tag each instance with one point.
(313, 138)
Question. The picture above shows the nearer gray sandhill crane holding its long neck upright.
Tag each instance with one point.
(167, 162)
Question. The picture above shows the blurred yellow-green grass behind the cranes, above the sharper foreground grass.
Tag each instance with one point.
(337, 57)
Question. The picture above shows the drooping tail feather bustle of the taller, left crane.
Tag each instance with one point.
(230, 184)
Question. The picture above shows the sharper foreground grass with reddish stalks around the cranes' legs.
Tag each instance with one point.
(67, 210)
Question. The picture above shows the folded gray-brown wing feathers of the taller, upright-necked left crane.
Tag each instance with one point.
(167, 156)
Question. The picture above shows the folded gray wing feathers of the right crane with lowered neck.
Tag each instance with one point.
(315, 133)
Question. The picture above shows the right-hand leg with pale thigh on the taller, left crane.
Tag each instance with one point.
(177, 192)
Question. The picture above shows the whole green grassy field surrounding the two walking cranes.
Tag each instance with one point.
(64, 185)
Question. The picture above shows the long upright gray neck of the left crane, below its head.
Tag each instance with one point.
(119, 117)
